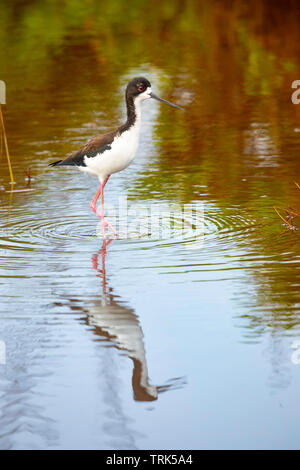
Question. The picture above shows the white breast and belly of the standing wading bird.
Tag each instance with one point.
(121, 154)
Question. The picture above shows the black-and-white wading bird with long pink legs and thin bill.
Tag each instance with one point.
(114, 151)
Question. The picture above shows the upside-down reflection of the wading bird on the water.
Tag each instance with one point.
(118, 323)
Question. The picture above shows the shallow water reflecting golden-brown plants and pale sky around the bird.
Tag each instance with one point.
(156, 341)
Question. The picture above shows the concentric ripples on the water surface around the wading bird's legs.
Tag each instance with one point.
(158, 224)
